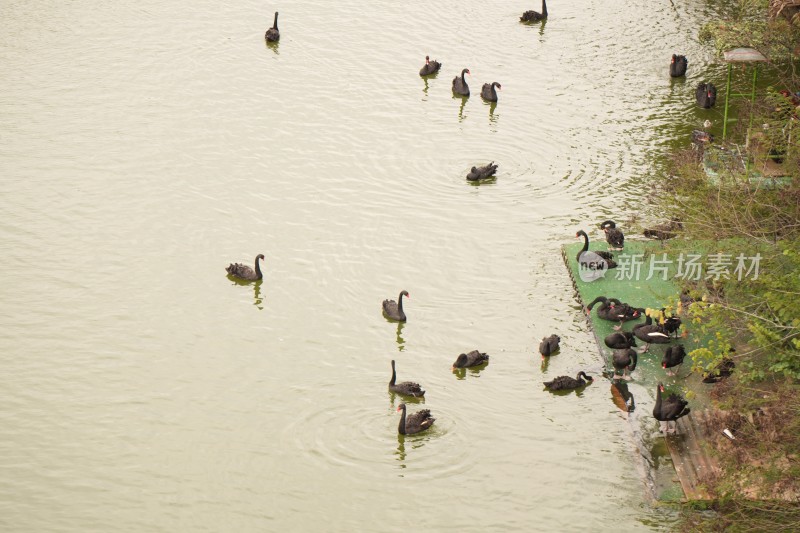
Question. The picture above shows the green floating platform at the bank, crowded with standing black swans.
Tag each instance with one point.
(646, 277)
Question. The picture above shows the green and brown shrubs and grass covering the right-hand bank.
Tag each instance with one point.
(753, 322)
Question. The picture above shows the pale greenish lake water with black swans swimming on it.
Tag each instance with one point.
(146, 145)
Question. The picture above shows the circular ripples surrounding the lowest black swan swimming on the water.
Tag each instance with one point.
(366, 438)
